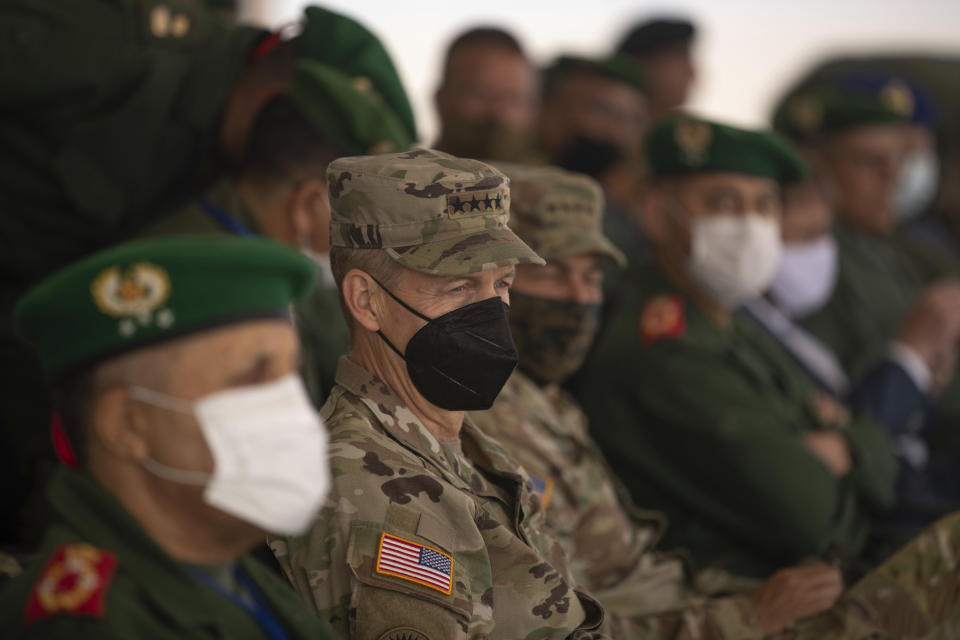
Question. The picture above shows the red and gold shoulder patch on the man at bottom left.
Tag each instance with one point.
(74, 581)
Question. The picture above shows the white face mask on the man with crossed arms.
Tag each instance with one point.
(734, 257)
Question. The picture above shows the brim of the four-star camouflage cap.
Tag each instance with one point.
(481, 251)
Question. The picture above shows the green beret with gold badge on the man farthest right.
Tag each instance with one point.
(814, 113)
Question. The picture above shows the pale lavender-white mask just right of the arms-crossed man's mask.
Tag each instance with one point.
(806, 277)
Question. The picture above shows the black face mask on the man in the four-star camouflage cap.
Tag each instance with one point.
(459, 361)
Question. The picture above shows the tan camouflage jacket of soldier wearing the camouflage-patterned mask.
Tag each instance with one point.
(609, 542)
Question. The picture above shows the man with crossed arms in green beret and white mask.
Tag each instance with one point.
(701, 415)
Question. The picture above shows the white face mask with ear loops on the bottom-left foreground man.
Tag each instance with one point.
(269, 450)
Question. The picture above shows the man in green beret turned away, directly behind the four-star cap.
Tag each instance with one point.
(280, 189)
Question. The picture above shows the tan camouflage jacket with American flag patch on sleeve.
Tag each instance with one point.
(420, 539)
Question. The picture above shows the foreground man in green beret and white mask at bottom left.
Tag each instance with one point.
(175, 363)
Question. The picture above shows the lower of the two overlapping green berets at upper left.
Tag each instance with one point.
(350, 113)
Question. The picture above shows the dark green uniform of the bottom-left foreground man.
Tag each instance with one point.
(99, 575)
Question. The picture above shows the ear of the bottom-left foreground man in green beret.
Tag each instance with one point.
(117, 427)
